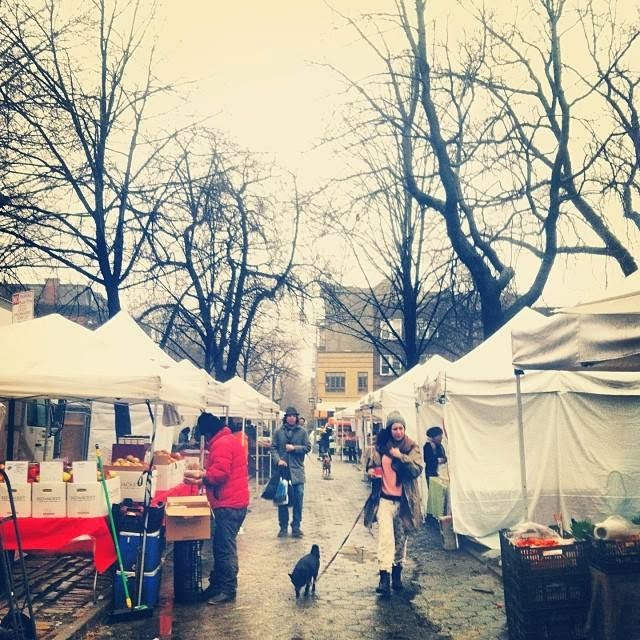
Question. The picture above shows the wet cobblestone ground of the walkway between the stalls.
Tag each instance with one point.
(441, 601)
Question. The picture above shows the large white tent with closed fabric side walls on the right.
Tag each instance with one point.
(567, 423)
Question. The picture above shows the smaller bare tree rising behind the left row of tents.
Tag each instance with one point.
(222, 250)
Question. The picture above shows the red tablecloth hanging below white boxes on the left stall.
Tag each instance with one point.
(59, 535)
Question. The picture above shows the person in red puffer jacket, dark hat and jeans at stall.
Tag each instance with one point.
(227, 483)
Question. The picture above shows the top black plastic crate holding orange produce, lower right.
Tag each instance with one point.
(527, 561)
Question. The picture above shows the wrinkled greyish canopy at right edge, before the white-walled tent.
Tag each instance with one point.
(601, 334)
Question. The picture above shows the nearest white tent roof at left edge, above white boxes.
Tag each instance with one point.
(56, 358)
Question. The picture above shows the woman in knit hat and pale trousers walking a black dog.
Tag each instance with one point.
(397, 463)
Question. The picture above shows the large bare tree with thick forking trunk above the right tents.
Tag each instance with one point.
(486, 140)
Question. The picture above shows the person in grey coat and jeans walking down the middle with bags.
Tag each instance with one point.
(289, 446)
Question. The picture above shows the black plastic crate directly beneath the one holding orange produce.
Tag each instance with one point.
(547, 591)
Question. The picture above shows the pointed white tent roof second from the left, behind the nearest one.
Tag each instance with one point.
(180, 384)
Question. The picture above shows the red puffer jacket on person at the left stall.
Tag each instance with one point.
(227, 478)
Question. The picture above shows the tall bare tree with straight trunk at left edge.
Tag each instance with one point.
(78, 163)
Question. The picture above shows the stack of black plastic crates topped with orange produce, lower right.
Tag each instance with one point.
(546, 590)
